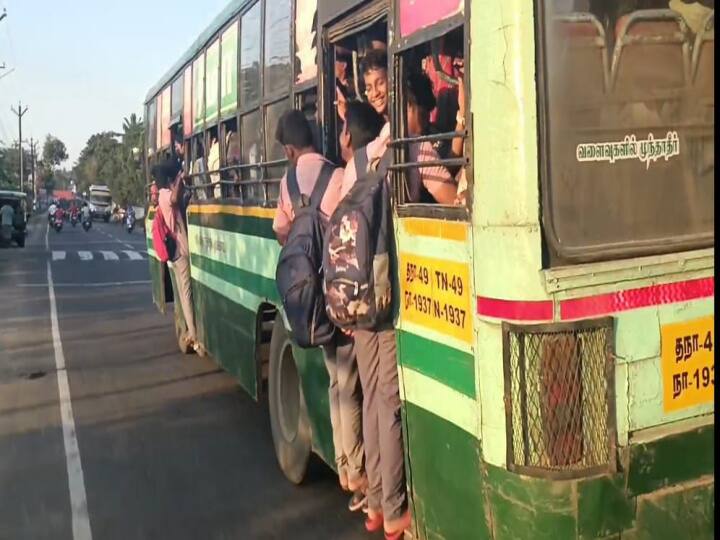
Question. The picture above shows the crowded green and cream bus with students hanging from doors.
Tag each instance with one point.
(555, 331)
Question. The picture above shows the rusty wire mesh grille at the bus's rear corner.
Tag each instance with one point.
(559, 396)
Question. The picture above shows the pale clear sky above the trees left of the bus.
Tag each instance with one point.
(81, 66)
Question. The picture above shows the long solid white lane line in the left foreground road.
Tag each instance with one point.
(76, 480)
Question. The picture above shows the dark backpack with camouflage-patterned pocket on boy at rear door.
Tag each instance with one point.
(356, 258)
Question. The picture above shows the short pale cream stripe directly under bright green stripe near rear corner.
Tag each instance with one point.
(440, 400)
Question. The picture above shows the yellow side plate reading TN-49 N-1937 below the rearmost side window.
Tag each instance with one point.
(436, 295)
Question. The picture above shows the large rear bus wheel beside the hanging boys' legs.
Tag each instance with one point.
(288, 414)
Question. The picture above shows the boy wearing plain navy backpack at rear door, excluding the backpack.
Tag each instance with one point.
(295, 135)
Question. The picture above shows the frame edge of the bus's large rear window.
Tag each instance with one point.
(556, 255)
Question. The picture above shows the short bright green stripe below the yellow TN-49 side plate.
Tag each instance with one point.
(444, 364)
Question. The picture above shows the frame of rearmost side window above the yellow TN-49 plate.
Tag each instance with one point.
(396, 49)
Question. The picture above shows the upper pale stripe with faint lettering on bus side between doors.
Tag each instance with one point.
(249, 253)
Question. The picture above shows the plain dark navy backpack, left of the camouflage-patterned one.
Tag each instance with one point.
(299, 269)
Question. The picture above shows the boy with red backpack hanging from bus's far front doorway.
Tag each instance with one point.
(169, 178)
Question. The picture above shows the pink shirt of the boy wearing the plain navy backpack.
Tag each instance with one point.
(307, 171)
